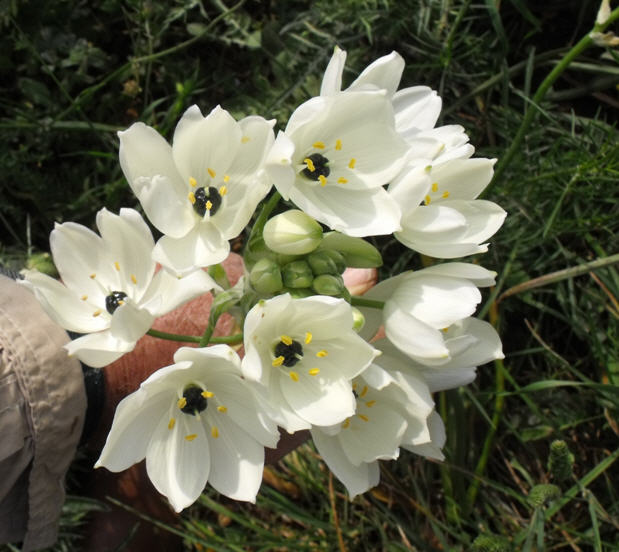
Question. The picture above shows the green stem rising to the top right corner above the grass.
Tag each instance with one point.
(578, 49)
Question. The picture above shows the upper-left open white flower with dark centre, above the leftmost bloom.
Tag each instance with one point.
(201, 191)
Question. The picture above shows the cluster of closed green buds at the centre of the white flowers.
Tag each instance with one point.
(299, 259)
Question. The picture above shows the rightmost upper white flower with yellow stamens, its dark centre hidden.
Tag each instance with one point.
(441, 216)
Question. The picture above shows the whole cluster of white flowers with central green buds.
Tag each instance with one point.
(357, 371)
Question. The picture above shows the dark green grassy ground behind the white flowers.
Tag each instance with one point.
(74, 73)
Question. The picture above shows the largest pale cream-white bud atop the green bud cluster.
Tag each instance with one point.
(292, 233)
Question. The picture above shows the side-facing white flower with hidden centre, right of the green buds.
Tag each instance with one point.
(420, 305)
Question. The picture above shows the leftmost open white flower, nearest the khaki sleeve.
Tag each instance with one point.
(111, 291)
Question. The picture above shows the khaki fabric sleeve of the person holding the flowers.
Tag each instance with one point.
(42, 409)
